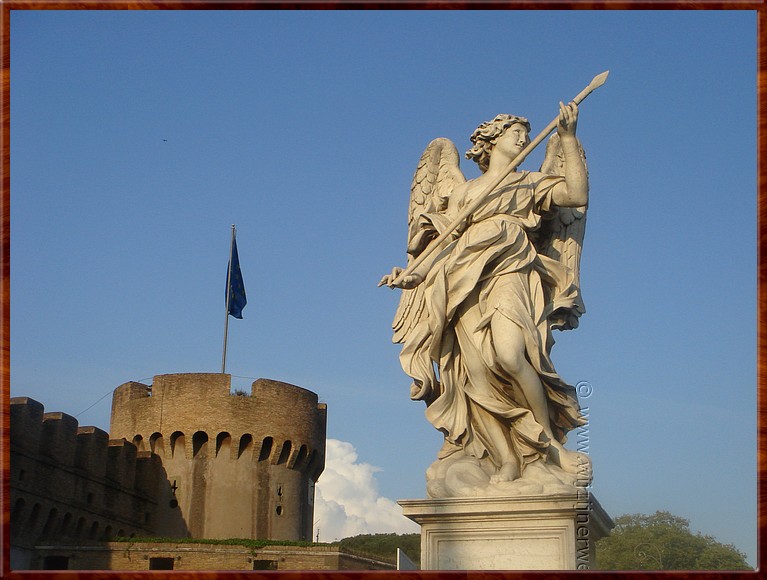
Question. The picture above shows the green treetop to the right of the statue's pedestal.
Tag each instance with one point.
(663, 541)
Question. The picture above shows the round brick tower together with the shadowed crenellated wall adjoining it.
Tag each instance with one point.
(184, 458)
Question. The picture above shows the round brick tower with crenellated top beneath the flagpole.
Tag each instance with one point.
(237, 466)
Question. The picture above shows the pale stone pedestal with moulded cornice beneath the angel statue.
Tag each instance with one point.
(509, 533)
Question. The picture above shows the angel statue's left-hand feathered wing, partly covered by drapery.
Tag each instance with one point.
(438, 172)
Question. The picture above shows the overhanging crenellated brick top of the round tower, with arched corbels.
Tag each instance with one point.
(181, 413)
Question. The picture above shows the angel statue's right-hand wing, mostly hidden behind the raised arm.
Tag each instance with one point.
(561, 234)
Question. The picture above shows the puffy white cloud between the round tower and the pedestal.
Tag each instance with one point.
(347, 502)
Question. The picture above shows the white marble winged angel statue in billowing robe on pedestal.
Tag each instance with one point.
(475, 318)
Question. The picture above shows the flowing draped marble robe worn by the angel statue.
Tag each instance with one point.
(489, 269)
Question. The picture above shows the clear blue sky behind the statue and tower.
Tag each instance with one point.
(138, 138)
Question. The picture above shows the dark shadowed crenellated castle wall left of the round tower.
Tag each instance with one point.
(72, 484)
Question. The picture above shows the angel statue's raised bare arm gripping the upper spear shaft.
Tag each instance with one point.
(574, 192)
